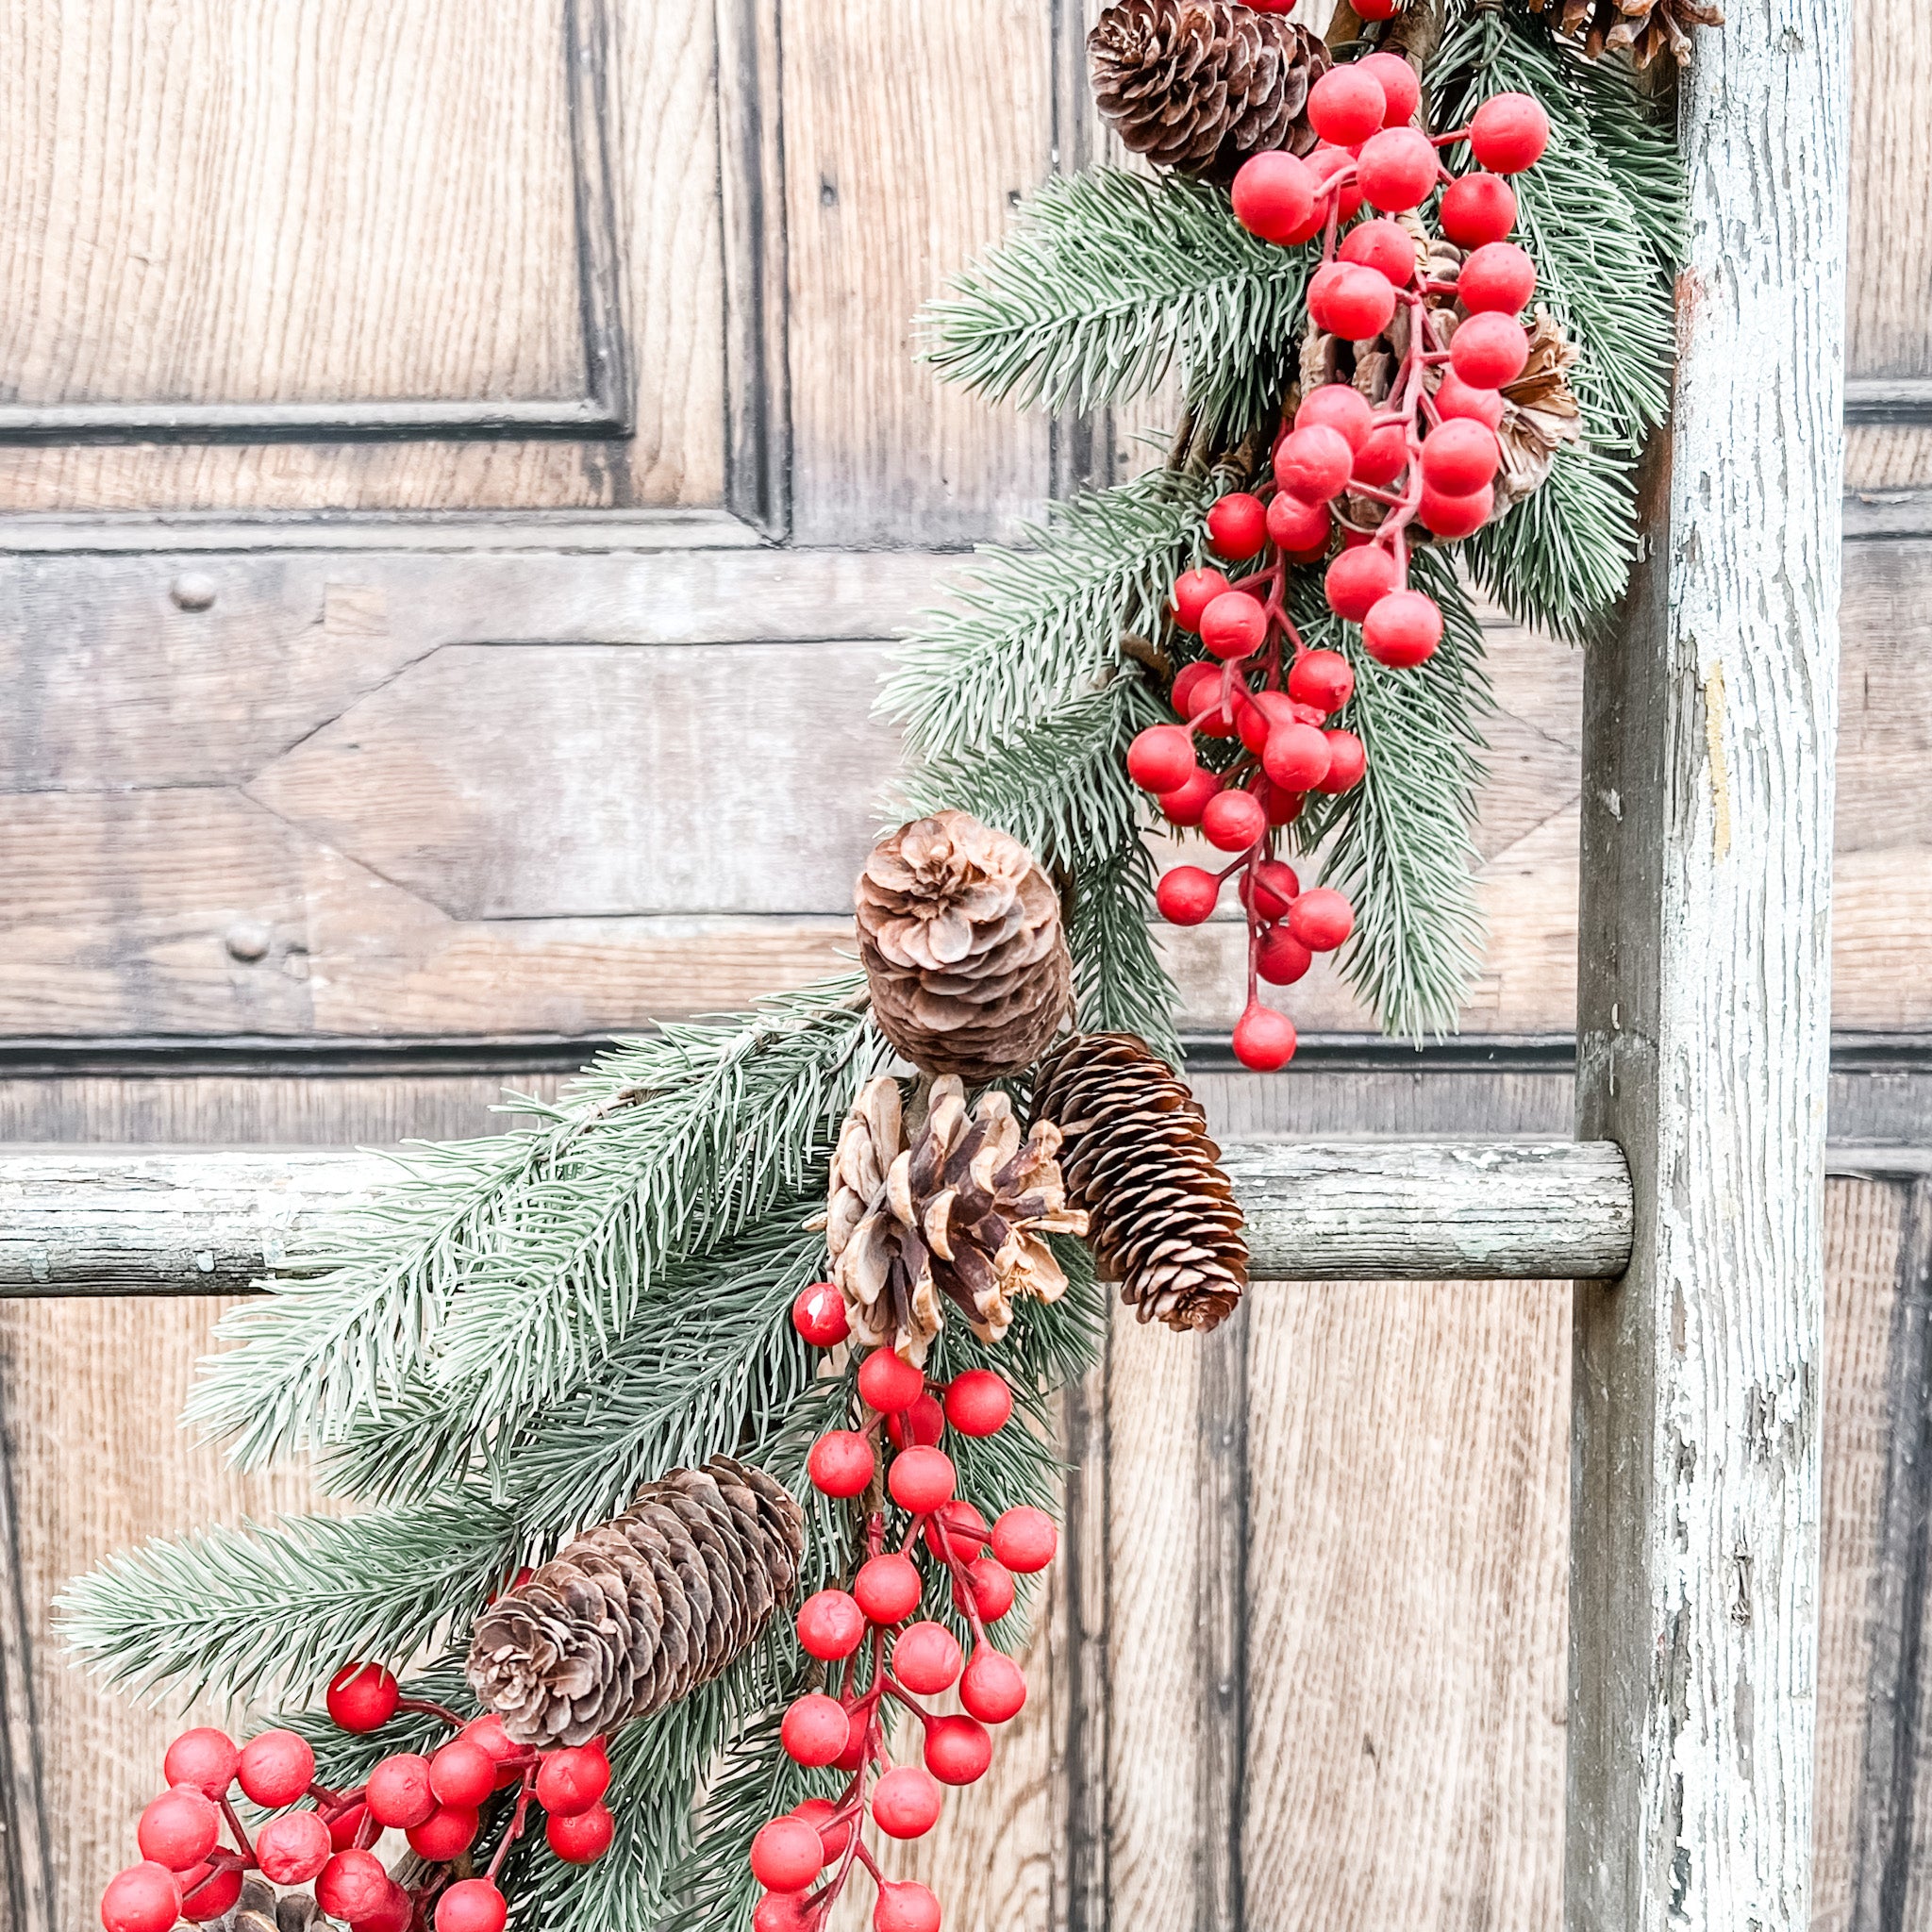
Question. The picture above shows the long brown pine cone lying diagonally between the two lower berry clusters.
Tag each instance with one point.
(642, 1610)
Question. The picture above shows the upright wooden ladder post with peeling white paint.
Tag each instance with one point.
(1703, 1033)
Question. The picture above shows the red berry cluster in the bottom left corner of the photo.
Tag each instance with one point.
(436, 1800)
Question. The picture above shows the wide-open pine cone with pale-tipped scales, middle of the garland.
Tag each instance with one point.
(955, 1212)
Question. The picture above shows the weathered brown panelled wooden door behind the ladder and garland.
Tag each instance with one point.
(461, 469)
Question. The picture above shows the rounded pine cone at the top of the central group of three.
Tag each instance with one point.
(961, 936)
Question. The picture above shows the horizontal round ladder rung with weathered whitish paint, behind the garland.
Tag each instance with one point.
(92, 1222)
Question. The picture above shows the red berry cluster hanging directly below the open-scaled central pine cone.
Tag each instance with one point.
(878, 1649)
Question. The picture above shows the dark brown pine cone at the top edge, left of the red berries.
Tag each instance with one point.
(1205, 84)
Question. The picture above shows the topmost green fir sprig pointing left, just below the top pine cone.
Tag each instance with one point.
(1112, 279)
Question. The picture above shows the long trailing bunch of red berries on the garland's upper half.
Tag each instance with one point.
(1431, 455)
